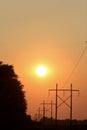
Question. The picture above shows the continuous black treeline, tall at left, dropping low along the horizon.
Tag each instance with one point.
(13, 107)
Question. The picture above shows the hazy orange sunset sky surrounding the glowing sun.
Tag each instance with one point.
(50, 33)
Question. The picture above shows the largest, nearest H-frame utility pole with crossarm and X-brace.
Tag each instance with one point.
(63, 101)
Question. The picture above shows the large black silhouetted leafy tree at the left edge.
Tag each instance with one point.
(12, 98)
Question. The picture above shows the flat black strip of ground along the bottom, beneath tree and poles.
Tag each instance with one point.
(61, 125)
